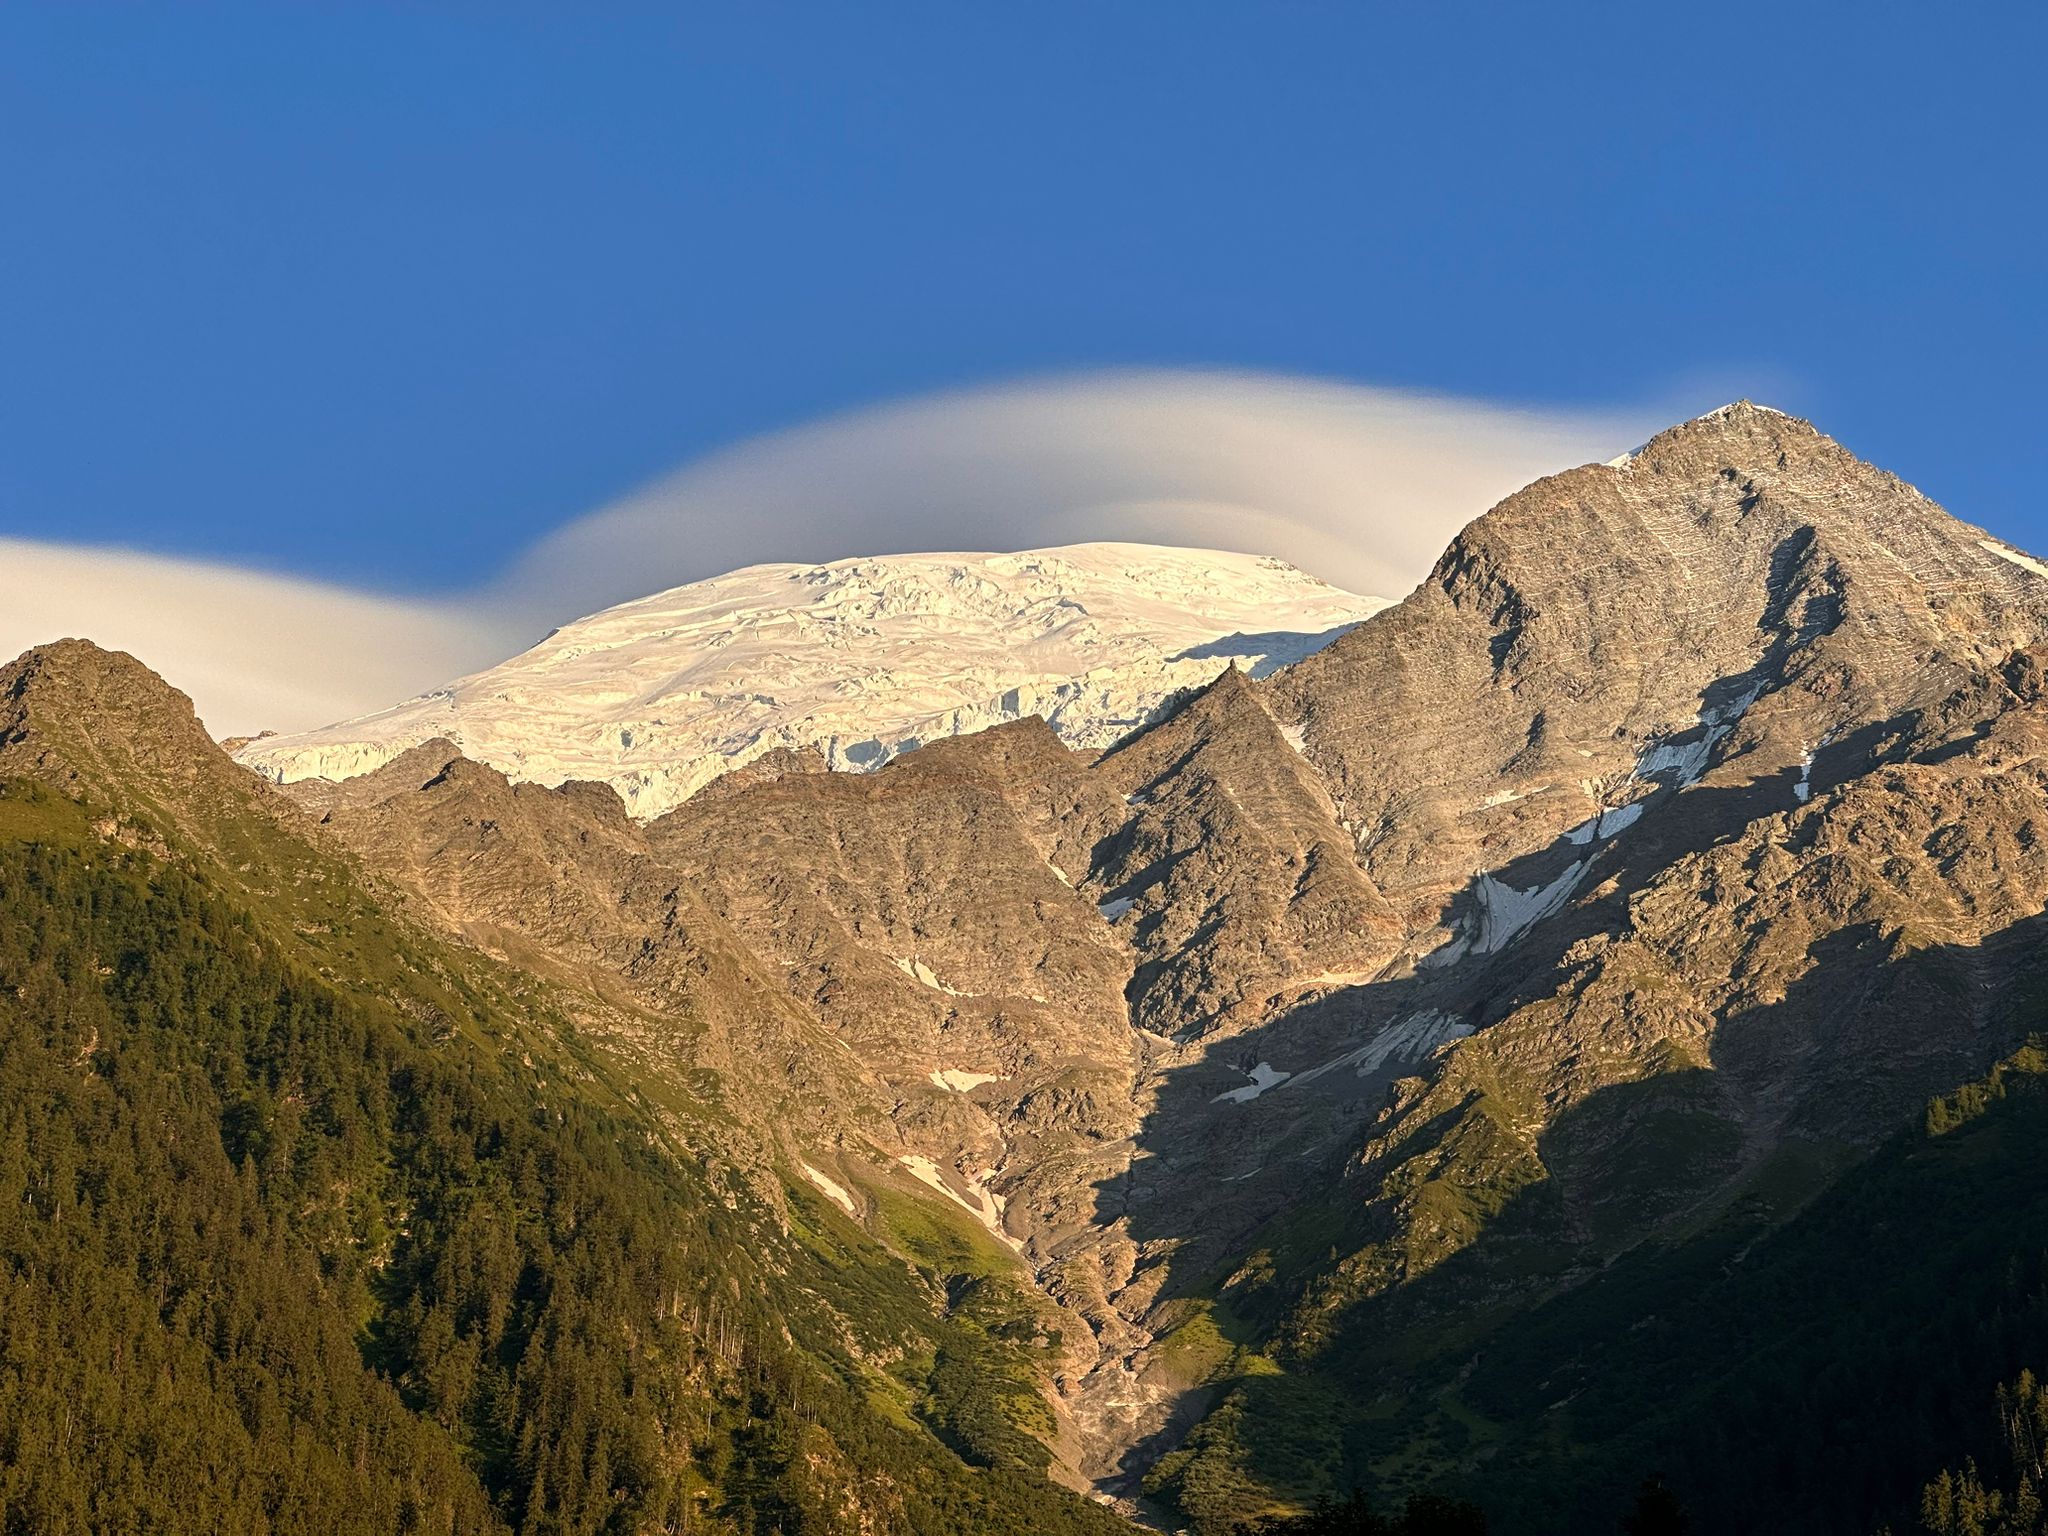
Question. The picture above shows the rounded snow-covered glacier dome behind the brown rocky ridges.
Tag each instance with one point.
(859, 660)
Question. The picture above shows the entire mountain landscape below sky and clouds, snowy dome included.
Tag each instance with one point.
(1060, 1043)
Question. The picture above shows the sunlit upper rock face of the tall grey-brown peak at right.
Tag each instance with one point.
(1740, 591)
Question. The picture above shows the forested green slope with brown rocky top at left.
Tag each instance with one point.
(316, 1224)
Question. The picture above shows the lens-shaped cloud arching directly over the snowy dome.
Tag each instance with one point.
(1359, 486)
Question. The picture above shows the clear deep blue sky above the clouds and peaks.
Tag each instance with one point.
(384, 294)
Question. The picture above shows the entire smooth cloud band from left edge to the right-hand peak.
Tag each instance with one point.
(1359, 486)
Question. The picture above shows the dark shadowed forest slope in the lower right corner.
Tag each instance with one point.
(1799, 1363)
